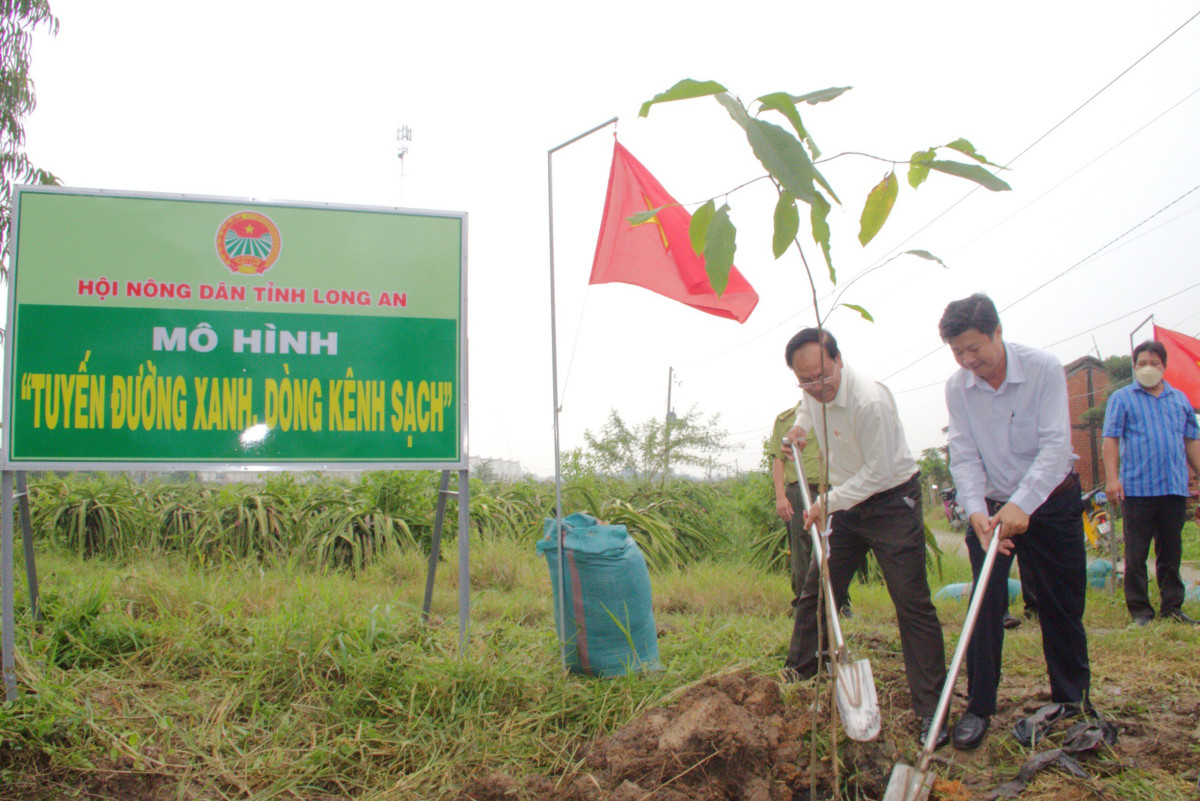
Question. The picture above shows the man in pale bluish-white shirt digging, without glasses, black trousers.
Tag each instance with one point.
(1012, 462)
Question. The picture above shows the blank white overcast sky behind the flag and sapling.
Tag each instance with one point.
(279, 101)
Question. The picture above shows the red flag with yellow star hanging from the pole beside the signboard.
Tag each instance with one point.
(658, 255)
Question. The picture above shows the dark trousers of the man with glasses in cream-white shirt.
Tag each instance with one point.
(891, 526)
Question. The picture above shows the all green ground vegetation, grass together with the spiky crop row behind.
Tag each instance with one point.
(211, 642)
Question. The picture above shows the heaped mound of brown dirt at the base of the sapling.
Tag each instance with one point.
(731, 738)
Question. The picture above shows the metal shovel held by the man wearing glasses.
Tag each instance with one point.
(857, 702)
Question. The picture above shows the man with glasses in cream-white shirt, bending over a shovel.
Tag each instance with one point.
(875, 504)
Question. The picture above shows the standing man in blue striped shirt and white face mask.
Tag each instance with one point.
(1150, 438)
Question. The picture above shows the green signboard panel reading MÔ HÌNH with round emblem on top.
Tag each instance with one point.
(155, 330)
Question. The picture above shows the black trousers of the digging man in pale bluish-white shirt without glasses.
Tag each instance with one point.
(1054, 563)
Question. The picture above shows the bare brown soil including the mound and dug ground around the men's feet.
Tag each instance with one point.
(743, 738)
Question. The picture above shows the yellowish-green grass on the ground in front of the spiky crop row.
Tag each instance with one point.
(169, 680)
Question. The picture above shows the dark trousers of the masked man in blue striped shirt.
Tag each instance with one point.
(1159, 520)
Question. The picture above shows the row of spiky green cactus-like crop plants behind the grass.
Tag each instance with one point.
(335, 523)
